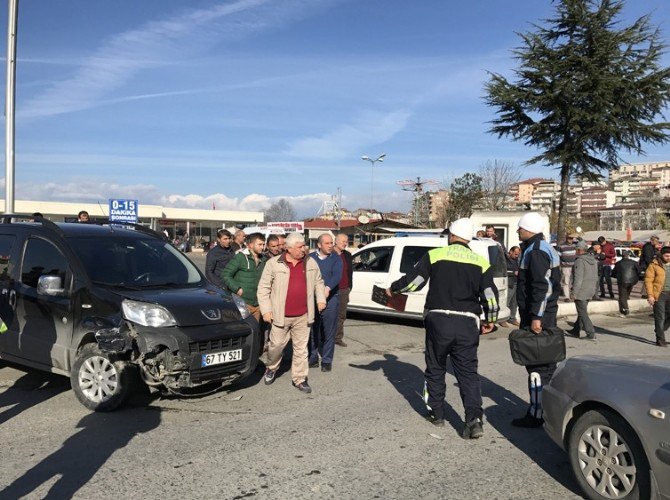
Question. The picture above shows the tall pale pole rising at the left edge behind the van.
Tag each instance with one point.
(10, 104)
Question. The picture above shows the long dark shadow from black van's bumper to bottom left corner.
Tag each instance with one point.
(82, 454)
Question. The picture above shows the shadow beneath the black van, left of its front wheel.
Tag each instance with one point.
(31, 389)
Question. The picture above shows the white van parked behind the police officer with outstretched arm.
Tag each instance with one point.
(384, 261)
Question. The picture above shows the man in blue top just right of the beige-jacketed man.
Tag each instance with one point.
(322, 337)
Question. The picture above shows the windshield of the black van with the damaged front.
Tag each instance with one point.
(134, 262)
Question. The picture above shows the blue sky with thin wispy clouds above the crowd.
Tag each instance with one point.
(242, 102)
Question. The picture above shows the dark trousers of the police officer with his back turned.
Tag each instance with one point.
(457, 337)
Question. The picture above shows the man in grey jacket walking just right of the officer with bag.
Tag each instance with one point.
(584, 283)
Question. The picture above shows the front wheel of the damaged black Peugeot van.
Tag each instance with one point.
(99, 381)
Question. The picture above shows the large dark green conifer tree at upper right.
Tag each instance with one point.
(587, 89)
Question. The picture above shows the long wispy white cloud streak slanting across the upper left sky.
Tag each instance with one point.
(159, 43)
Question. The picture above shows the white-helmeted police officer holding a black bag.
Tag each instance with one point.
(537, 295)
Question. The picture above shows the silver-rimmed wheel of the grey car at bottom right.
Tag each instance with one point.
(607, 457)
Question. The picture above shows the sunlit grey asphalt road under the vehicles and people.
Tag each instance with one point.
(360, 434)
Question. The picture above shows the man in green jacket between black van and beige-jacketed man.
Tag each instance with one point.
(243, 273)
